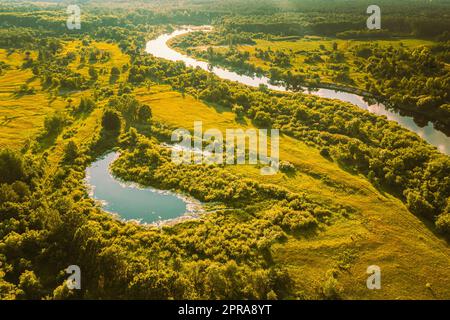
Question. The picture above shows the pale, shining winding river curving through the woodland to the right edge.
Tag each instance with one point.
(159, 48)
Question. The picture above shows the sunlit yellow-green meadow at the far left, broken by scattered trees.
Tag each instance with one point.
(22, 116)
